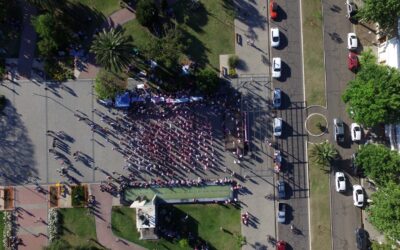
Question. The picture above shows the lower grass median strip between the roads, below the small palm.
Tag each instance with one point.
(319, 206)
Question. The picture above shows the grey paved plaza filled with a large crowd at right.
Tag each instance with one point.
(46, 118)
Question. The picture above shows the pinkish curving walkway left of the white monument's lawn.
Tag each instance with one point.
(103, 222)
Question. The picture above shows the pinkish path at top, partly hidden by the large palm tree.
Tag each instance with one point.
(116, 19)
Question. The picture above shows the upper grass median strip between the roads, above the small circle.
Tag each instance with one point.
(314, 67)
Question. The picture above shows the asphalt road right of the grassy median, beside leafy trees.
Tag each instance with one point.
(345, 216)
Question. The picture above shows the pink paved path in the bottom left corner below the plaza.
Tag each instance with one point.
(31, 217)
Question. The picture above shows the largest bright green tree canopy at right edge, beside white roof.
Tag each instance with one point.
(373, 97)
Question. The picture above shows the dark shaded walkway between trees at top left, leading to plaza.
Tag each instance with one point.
(28, 41)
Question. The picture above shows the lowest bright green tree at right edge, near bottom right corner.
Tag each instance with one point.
(384, 212)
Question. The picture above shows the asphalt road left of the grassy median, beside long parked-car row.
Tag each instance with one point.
(292, 143)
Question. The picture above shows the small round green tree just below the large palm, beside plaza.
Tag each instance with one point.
(109, 84)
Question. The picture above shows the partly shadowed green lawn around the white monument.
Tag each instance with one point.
(204, 223)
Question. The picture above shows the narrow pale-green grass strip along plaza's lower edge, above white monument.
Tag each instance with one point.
(180, 193)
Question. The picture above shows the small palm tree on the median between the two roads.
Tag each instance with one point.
(323, 153)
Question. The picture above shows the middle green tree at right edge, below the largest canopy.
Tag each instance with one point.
(379, 163)
